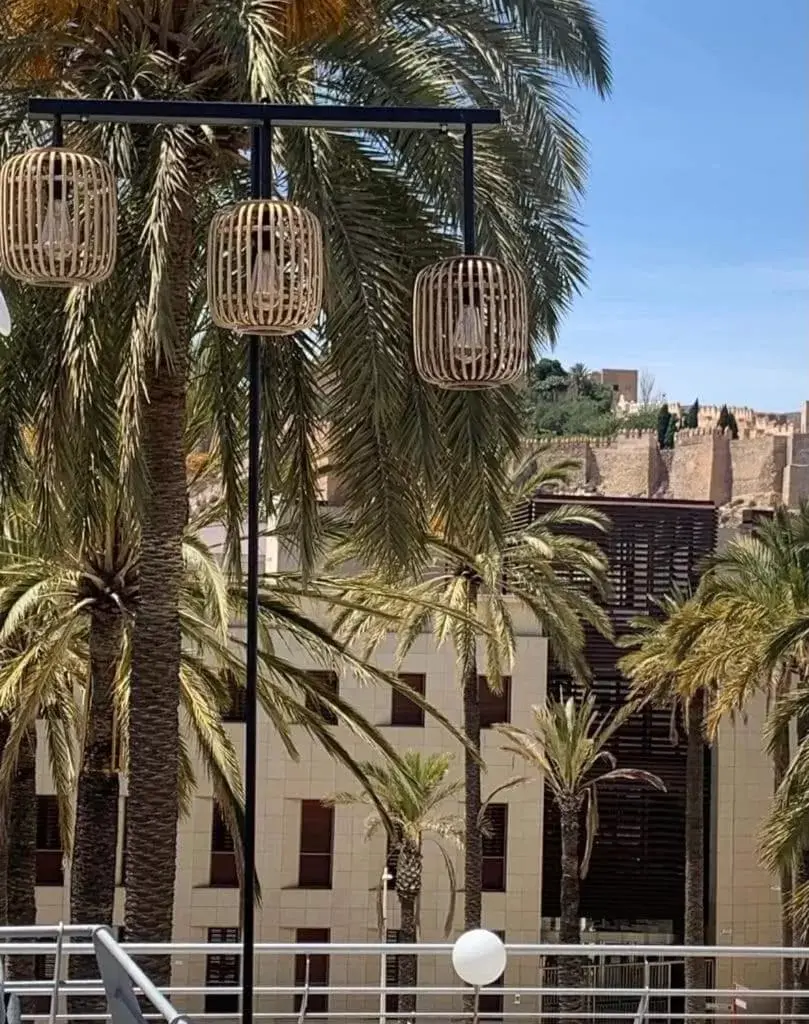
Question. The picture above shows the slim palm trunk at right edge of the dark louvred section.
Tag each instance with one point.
(695, 859)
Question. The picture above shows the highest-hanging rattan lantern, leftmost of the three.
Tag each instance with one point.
(59, 214)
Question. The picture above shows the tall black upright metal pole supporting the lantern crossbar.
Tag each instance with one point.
(262, 183)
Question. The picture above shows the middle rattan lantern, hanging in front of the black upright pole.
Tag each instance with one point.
(266, 268)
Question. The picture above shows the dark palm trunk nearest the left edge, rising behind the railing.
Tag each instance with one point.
(22, 873)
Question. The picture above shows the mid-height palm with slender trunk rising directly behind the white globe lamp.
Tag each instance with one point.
(472, 595)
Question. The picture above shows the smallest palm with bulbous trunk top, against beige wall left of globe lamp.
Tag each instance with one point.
(413, 802)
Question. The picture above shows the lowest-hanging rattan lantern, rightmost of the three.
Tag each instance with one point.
(471, 324)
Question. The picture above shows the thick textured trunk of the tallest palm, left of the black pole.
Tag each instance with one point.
(154, 709)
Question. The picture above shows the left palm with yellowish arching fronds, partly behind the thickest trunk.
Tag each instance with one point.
(56, 606)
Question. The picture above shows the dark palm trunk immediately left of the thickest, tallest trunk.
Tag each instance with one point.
(93, 873)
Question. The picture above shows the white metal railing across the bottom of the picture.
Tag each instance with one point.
(633, 984)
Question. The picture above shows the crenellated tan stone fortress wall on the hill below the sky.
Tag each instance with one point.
(758, 470)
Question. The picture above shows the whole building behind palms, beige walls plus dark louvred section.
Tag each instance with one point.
(321, 878)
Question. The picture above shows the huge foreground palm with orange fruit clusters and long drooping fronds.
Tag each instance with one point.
(387, 210)
